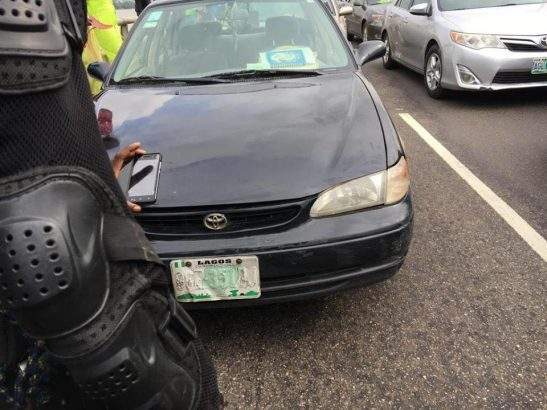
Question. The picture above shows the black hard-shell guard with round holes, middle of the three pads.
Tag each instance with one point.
(54, 271)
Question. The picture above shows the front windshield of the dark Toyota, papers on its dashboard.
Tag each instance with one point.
(208, 38)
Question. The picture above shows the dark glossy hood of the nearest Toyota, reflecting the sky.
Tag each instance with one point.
(251, 142)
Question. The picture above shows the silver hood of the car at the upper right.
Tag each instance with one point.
(528, 19)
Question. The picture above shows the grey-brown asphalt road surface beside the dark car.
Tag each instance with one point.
(464, 322)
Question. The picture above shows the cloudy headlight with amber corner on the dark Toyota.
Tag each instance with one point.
(382, 188)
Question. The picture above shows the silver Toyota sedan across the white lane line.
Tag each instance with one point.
(469, 44)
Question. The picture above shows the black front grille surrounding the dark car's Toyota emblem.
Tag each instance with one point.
(172, 223)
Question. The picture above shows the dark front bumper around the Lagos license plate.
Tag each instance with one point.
(314, 258)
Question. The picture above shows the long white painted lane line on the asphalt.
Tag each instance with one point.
(529, 234)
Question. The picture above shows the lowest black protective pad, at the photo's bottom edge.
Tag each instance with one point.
(141, 367)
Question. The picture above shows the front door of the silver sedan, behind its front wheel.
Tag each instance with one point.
(416, 32)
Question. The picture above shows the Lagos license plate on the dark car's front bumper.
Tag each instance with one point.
(216, 278)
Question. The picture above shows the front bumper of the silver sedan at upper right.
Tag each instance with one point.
(491, 66)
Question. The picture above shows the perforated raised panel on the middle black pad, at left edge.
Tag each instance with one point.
(34, 263)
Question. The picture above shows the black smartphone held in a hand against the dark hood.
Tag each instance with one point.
(143, 185)
